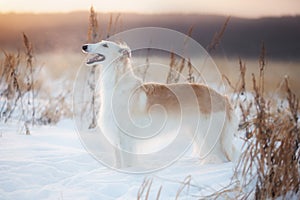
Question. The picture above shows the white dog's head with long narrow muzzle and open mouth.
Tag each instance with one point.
(105, 51)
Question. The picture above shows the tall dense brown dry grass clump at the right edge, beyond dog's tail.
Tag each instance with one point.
(270, 165)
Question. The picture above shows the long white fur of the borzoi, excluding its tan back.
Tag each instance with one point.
(125, 118)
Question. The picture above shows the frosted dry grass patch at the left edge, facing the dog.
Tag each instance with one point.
(20, 91)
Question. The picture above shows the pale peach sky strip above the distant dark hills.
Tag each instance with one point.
(240, 8)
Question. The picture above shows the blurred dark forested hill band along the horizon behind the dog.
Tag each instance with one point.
(243, 37)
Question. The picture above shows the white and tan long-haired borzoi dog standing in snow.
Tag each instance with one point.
(133, 113)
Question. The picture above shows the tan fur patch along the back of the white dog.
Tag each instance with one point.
(169, 95)
